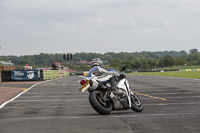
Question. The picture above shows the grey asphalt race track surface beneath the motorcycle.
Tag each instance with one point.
(171, 105)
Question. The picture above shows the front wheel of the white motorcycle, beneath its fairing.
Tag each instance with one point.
(136, 103)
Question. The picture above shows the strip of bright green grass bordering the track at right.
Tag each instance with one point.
(191, 74)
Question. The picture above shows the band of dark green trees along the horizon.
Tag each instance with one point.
(136, 61)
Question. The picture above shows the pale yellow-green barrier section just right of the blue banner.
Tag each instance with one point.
(51, 74)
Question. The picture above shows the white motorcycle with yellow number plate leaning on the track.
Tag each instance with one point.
(104, 101)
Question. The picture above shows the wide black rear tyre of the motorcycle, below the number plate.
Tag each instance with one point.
(97, 102)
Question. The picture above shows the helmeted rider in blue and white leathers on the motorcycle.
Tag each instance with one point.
(104, 75)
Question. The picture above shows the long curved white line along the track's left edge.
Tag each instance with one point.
(4, 104)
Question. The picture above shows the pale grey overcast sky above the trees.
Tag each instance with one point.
(30, 27)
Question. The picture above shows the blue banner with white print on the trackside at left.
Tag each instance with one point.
(24, 75)
